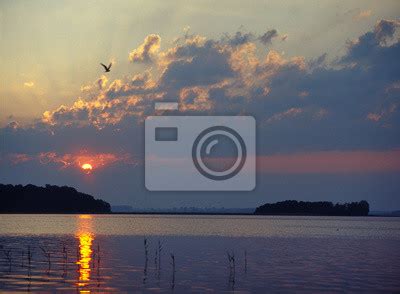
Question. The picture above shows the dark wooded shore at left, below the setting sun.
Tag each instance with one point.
(48, 199)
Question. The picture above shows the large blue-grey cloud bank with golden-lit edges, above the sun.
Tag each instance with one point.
(354, 99)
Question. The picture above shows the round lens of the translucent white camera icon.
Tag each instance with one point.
(206, 141)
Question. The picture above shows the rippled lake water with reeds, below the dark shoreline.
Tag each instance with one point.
(106, 253)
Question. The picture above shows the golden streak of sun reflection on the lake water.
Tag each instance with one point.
(86, 237)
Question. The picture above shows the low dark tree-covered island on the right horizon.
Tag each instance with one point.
(293, 207)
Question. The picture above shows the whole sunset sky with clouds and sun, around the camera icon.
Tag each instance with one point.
(322, 79)
